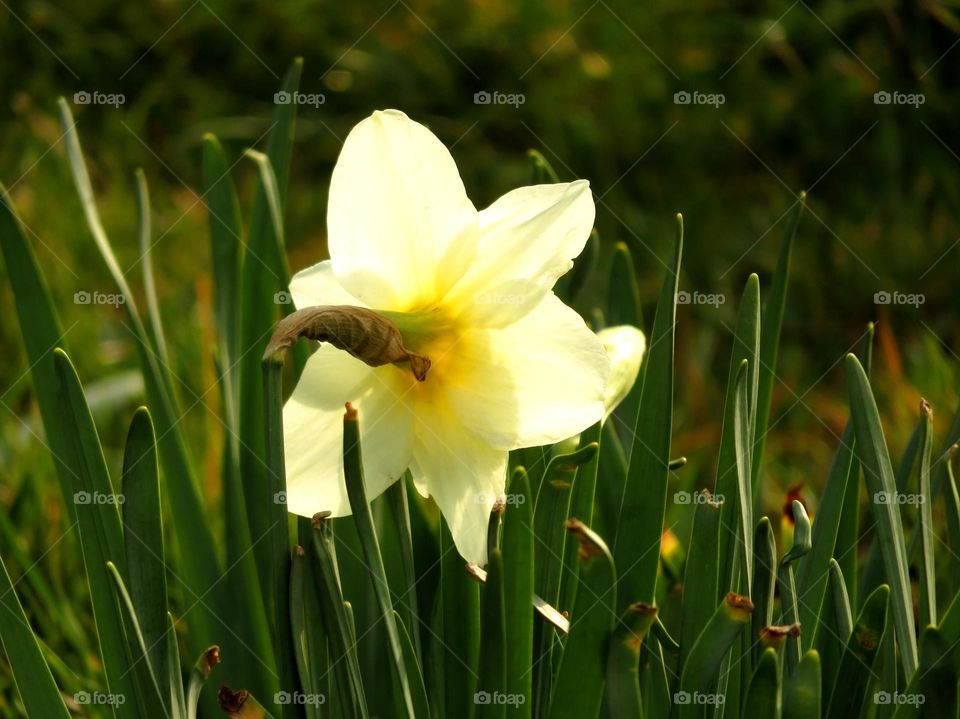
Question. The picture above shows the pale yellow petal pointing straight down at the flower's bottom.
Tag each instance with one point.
(464, 476)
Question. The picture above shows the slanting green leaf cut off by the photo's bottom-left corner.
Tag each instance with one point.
(31, 673)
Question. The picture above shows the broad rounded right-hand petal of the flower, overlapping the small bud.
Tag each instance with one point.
(537, 381)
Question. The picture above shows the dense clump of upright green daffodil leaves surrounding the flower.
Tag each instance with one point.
(556, 625)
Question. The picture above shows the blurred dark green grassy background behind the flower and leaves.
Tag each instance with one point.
(598, 81)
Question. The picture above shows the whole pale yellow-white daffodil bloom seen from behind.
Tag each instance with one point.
(510, 365)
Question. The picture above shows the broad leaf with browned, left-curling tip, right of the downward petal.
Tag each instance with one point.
(578, 690)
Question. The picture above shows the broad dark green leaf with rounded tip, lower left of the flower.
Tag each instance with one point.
(143, 541)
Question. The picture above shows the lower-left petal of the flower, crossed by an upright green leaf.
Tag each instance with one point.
(313, 430)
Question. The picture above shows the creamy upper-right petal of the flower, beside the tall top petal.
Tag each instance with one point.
(528, 239)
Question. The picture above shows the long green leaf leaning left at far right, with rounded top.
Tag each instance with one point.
(872, 451)
